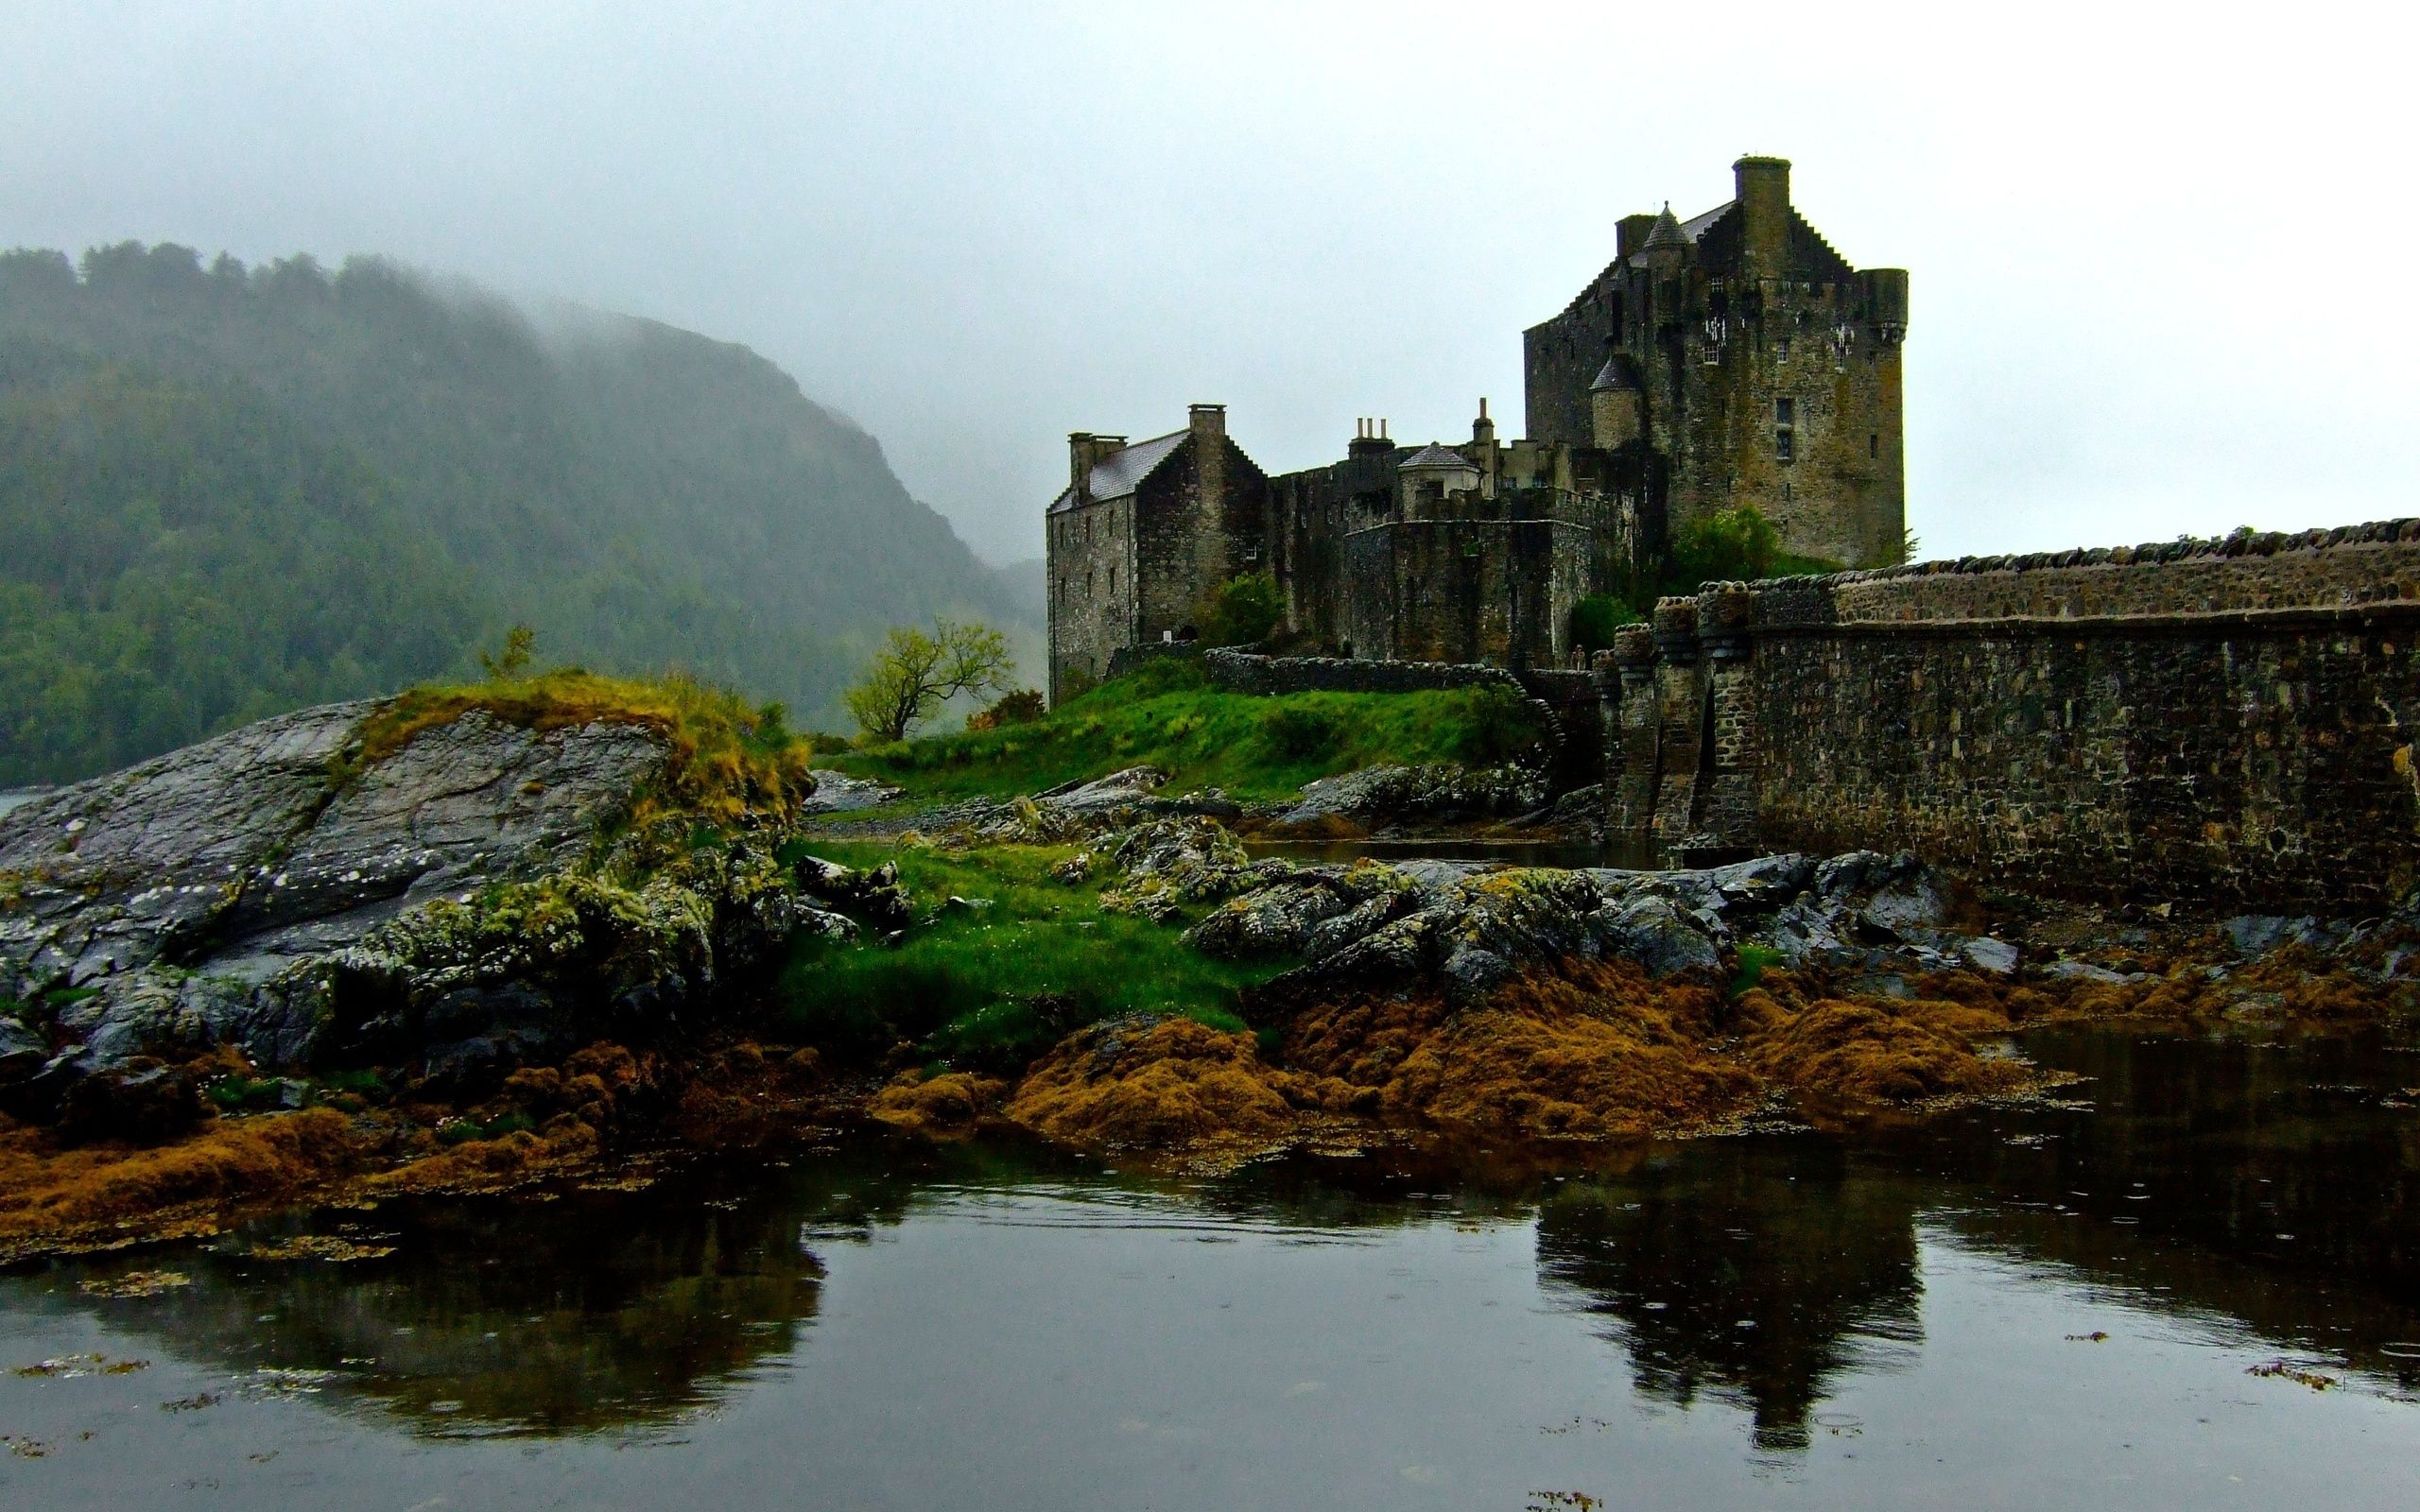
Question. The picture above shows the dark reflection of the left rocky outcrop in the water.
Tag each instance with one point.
(594, 1310)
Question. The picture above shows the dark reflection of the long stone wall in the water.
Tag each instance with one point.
(2274, 1182)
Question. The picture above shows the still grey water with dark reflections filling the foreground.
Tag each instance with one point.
(2015, 1308)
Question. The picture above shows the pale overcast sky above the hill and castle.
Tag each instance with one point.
(2157, 265)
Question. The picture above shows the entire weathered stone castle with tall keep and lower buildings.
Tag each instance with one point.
(1719, 362)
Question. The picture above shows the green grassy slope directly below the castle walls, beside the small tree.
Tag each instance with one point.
(1168, 715)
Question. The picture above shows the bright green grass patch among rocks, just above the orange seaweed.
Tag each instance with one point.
(993, 988)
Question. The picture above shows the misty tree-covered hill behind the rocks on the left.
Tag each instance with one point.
(229, 492)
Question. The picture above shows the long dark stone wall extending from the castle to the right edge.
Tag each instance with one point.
(2196, 722)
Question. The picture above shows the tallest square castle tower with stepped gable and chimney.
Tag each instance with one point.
(1744, 362)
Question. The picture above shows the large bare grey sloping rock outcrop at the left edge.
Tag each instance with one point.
(454, 904)
